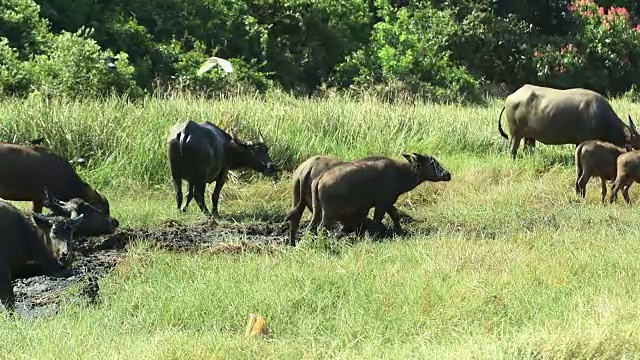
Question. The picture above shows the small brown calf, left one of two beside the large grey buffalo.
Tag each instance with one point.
(596, 158)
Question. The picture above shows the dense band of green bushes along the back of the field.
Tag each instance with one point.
(437, 49)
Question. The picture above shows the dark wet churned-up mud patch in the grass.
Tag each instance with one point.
(96, 256)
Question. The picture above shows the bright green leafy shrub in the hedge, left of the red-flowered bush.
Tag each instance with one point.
(412, 47)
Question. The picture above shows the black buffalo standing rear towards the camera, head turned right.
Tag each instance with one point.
(202, 153)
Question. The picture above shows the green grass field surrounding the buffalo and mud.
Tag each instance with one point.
(504, 261)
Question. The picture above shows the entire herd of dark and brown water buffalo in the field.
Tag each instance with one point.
(333, 190)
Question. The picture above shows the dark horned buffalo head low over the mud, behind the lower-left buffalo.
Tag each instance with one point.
(95, 221)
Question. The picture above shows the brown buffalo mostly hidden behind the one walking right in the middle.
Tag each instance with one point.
(302, 177)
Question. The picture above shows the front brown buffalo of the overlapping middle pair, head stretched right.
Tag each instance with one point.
(351, 189)
